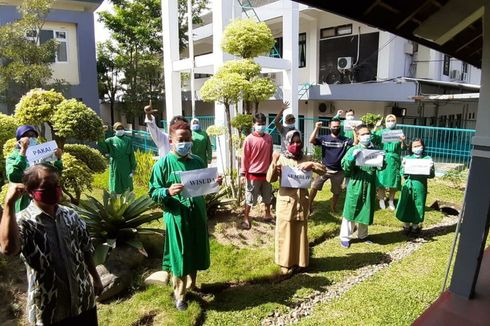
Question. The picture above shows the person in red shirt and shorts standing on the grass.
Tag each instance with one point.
(256, 159)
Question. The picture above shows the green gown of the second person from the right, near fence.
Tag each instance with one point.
(389, 177)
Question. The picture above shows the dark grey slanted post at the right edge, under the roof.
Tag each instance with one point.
(476, 212)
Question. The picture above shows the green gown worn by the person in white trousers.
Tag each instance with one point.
(360, 198)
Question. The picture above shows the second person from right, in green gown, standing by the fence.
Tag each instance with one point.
(390, 178)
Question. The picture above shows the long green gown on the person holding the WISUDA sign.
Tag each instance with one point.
(187, 240)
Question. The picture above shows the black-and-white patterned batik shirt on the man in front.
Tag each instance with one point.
(54, 250)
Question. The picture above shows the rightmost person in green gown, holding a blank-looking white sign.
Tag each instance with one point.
(411, 206)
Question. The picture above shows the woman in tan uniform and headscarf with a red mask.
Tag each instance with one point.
(292, 208)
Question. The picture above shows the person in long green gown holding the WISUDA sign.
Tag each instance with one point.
(187, 248)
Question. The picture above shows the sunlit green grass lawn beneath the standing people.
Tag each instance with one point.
(243, 285)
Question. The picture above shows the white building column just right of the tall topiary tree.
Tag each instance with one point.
(290, 31)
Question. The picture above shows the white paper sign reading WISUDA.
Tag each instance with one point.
(199, 182)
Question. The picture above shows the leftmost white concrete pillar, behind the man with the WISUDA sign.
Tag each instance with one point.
(170, 22)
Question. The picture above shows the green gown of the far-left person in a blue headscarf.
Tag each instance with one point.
(16, 164)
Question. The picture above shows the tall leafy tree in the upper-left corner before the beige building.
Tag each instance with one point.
(25, 60)
